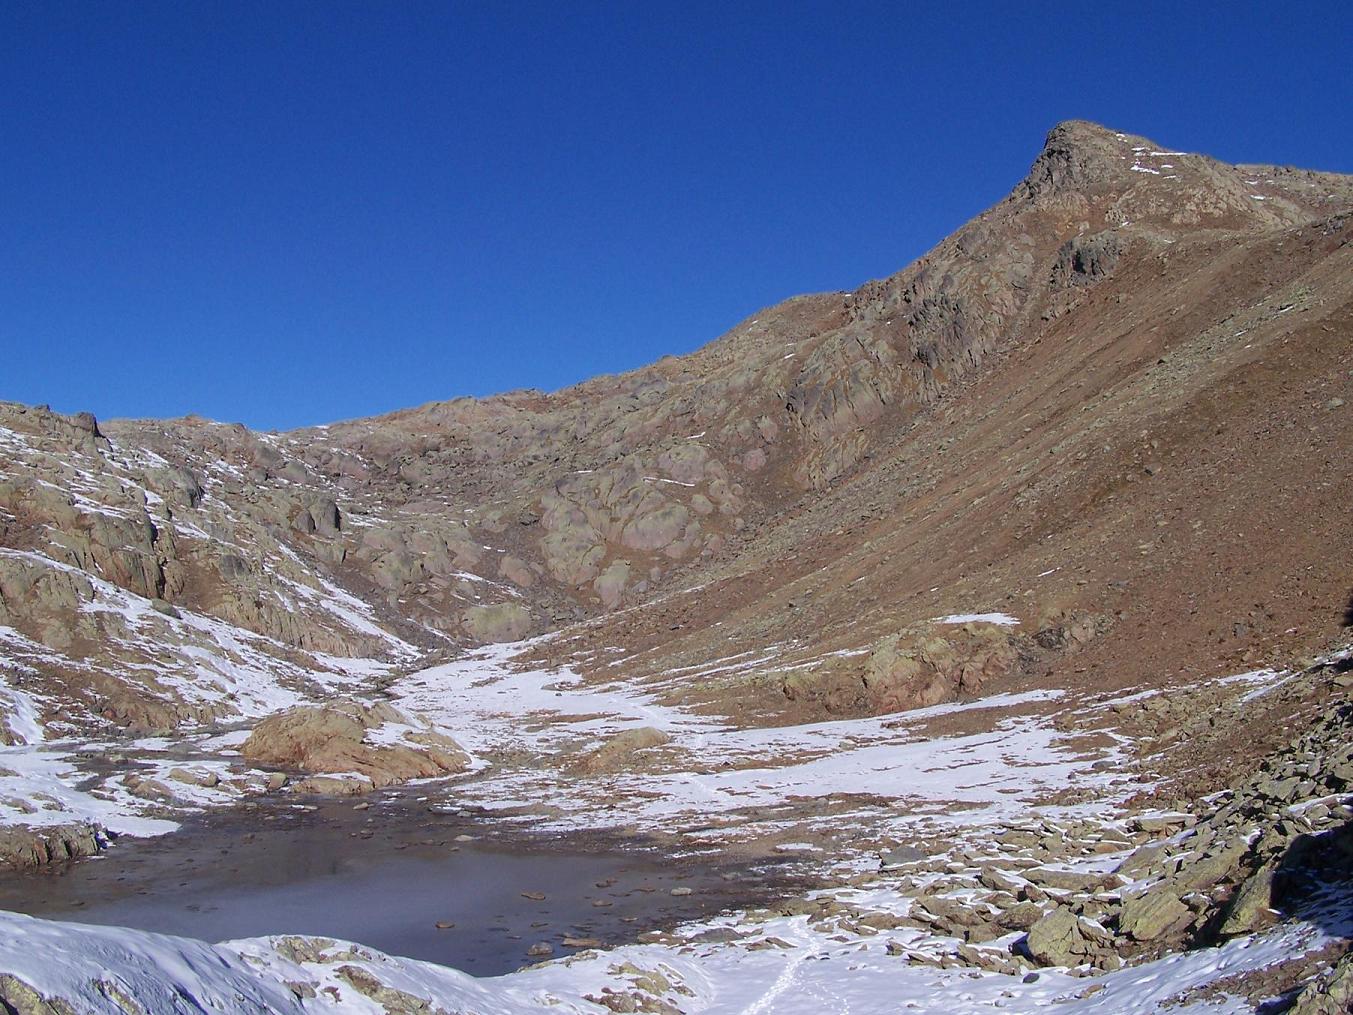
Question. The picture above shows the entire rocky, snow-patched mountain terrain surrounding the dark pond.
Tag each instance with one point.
(1007, 597)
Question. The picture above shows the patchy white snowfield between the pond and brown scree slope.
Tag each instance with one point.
(711, 771)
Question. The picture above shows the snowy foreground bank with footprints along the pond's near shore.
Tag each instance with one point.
(784, 967)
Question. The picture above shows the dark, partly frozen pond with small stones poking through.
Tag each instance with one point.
(386, 878)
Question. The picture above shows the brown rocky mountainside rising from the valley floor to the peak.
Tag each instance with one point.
(1113, 407)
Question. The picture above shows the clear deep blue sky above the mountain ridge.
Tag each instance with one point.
(292, 213)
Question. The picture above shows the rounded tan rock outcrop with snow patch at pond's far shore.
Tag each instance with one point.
(370, 746)
